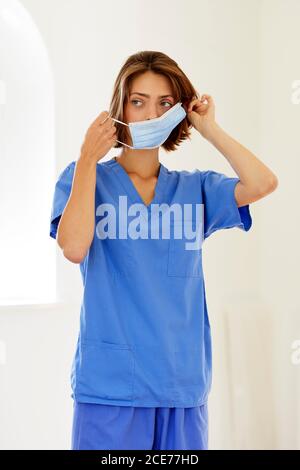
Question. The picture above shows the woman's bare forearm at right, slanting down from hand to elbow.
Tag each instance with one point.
(253, 174)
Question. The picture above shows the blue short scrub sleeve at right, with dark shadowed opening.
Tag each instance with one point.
(220, 207)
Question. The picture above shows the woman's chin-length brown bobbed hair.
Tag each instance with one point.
(159, 63)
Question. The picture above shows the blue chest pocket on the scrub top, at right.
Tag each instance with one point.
(183, 261)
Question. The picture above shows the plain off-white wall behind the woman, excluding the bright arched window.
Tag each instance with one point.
(229, 49)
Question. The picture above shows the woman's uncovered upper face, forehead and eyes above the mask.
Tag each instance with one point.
(158, 100)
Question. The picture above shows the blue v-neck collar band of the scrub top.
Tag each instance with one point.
(131, 190)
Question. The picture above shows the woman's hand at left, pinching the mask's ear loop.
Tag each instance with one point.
(100, 138)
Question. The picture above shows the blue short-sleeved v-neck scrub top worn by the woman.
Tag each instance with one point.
(144, 337)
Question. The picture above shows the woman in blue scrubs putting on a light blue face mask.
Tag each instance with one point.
(141, 373)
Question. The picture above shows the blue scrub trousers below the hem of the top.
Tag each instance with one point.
(97, 426)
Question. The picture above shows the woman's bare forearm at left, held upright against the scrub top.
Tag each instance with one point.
(77, 223)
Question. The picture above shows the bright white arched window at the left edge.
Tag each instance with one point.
(27, 160)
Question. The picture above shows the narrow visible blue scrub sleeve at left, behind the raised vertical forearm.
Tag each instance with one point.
(61, 195)
